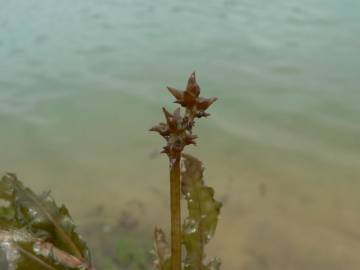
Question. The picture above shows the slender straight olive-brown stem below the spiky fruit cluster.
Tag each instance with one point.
(175, 214)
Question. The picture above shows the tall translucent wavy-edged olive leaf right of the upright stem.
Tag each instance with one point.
(199, 227)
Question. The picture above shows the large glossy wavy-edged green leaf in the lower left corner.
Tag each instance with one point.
(35, 233)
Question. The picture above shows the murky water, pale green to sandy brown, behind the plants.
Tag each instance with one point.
(82, 81)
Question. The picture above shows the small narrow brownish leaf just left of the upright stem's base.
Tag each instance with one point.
(162, 251)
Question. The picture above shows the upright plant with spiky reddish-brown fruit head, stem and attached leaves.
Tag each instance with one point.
(199, 227)
